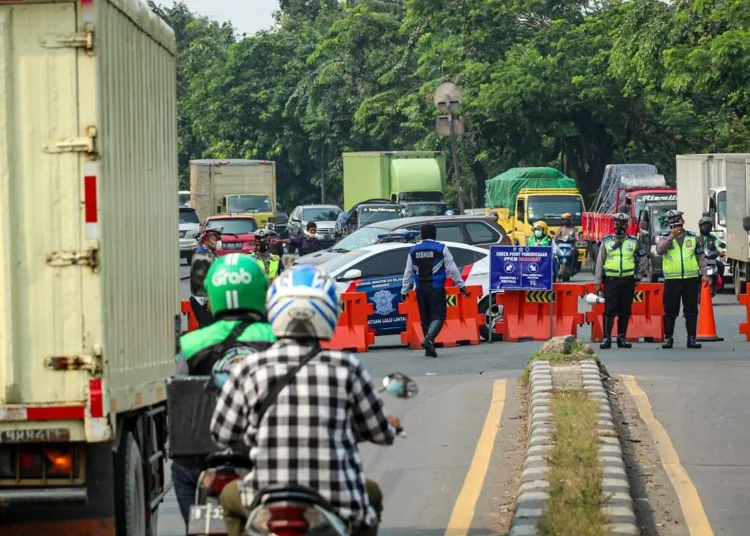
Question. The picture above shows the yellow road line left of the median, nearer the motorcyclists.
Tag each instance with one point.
(463, 511)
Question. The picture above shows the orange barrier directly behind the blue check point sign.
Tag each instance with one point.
(540, 314)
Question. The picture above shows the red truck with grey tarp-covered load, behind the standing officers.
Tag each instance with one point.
(625, 188)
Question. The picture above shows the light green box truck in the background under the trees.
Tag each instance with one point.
(401, 176)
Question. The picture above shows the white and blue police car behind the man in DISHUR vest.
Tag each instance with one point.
(378, 271)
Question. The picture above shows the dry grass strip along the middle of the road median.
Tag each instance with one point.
(575, 476)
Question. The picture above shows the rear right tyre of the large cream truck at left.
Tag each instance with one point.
(130, 498)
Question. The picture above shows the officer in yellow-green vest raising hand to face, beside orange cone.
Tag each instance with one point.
(683, 265)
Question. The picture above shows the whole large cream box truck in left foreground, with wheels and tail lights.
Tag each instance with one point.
(89, 294)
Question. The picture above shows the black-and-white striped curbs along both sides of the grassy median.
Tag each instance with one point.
(617, 502)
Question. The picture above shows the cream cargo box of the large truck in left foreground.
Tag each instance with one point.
(89, 263)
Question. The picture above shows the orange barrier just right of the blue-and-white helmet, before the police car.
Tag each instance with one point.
(352, 332)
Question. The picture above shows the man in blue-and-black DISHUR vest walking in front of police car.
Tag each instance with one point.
(427, 267)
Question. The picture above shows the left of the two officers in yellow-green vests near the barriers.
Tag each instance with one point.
(622, 262)
